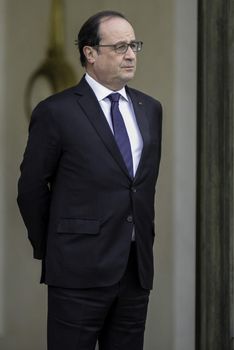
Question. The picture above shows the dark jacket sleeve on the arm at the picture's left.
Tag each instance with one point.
(38, 167)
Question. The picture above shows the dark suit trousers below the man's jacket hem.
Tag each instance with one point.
(113, 316)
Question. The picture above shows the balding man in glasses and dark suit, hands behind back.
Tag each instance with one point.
(86, 194)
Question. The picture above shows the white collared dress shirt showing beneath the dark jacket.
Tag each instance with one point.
(126, 109)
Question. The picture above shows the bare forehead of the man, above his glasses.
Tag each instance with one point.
(116, 29)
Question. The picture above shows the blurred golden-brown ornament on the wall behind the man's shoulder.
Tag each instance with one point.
(55, 73)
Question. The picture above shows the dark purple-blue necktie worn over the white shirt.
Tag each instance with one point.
(120, 132)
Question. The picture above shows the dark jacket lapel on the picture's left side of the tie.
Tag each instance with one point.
(90, 106)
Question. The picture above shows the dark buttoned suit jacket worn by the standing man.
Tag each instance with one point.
(75, 195)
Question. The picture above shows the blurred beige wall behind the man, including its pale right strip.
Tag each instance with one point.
(167, 71)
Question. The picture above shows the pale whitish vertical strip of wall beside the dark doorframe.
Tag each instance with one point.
(184, 176)
